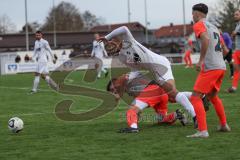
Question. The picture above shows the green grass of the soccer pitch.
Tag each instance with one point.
(47, 137)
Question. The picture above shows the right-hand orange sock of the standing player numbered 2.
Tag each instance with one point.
(219, 108)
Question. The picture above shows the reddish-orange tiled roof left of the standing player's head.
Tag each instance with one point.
(173, 31)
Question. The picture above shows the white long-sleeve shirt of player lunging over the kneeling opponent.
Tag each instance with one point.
(135, 55)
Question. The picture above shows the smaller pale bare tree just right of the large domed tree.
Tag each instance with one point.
(90, 20)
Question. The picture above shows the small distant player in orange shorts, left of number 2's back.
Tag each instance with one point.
(188, 51)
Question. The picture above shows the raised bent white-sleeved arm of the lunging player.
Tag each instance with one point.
(119, 31)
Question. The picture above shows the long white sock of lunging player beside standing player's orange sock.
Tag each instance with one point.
(184, 101)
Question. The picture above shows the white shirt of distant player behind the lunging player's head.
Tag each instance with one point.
(98, 50)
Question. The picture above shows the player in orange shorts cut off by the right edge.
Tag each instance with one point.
(236, 54)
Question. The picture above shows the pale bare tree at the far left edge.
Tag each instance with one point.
(6, 26)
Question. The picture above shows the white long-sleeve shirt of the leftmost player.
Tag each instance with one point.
(42, 51)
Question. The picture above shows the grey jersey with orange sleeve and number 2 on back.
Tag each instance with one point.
(214, 56)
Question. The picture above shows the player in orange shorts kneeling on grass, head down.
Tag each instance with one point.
(147, 93)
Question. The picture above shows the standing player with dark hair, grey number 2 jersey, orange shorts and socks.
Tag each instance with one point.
(212, 68)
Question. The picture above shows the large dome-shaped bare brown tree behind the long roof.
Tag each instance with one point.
(67, 18)
